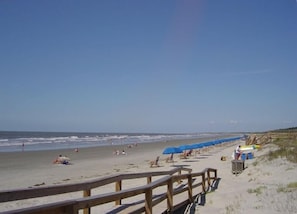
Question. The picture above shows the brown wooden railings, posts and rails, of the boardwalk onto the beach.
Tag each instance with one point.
(168, 178)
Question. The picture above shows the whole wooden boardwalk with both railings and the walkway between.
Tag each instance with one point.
(162, 191)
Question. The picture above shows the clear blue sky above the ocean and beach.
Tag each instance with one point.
(148, 66)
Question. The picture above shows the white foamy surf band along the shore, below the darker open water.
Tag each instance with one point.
(62, 142)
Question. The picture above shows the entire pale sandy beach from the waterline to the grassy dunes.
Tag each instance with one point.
(252, 191)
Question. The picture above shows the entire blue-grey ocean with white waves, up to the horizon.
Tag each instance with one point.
(37, 141)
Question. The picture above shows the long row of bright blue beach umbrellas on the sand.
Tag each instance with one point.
(182, 148)
